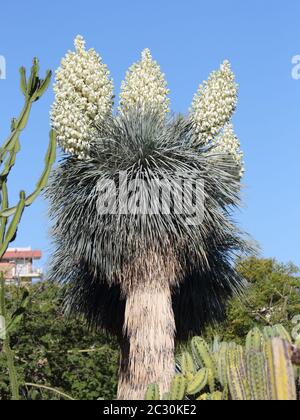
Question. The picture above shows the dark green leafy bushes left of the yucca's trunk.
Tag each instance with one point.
(52, 351)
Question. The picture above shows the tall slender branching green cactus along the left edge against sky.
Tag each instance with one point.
(10, 217)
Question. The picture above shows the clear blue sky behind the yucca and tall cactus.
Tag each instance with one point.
(189, 39)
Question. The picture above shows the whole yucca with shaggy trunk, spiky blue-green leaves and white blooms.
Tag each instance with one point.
(141, 204)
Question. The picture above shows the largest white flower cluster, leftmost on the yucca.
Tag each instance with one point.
(83, 95)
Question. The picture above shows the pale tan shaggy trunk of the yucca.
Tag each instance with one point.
(147, 352)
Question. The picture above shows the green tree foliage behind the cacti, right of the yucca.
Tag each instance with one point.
(272, 297)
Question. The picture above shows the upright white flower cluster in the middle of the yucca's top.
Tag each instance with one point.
(145, 87)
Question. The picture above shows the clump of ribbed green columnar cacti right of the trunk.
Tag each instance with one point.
(261, 370)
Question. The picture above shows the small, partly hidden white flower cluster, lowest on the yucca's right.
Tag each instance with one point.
(228, 143)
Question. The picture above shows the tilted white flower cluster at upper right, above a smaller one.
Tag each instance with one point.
(214, 103)
